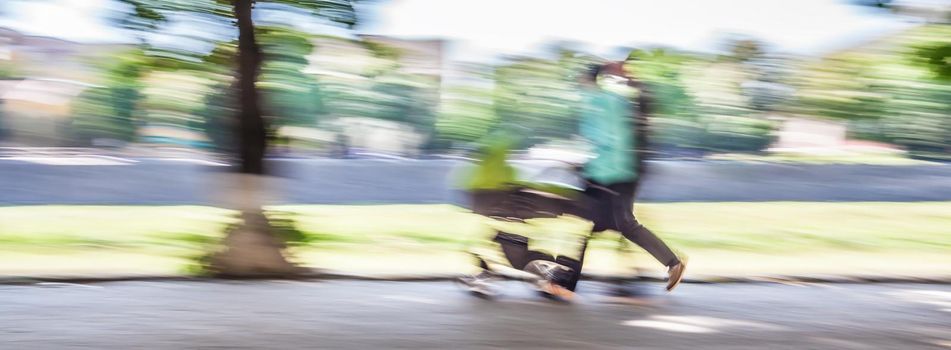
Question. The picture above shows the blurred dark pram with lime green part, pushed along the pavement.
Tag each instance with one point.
(512, 192)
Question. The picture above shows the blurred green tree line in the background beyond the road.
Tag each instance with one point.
(894, 91)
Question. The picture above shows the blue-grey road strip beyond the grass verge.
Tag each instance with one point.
(331, 181)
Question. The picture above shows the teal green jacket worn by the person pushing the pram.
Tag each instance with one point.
(606, 124)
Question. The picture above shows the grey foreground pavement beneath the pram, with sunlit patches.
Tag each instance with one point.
(437, 315)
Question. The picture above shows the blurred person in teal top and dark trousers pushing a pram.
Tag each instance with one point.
(613, 172)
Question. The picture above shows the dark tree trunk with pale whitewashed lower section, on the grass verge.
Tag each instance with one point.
(250, 249)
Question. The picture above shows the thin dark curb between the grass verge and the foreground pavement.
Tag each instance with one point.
(332, 275)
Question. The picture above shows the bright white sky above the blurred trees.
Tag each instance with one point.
(484, 29)
